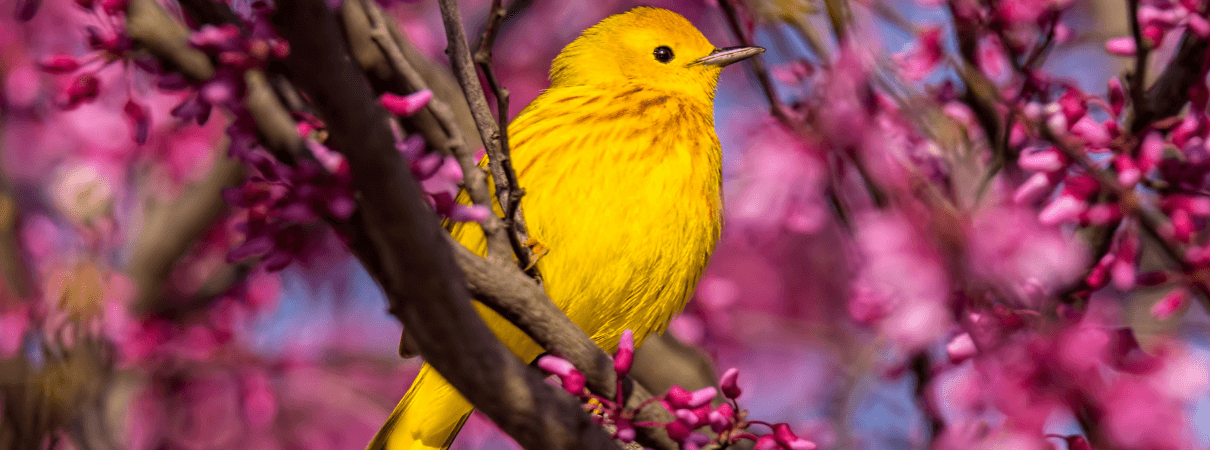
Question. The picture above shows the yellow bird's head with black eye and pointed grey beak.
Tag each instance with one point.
(647, 47)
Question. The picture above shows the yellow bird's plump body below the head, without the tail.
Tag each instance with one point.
(623, 187)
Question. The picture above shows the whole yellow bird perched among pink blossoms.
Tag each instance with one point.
(623, 177)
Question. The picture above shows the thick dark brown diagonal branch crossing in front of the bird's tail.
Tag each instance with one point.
(416, 257)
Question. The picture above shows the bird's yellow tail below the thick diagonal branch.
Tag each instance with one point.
(429, 417)
